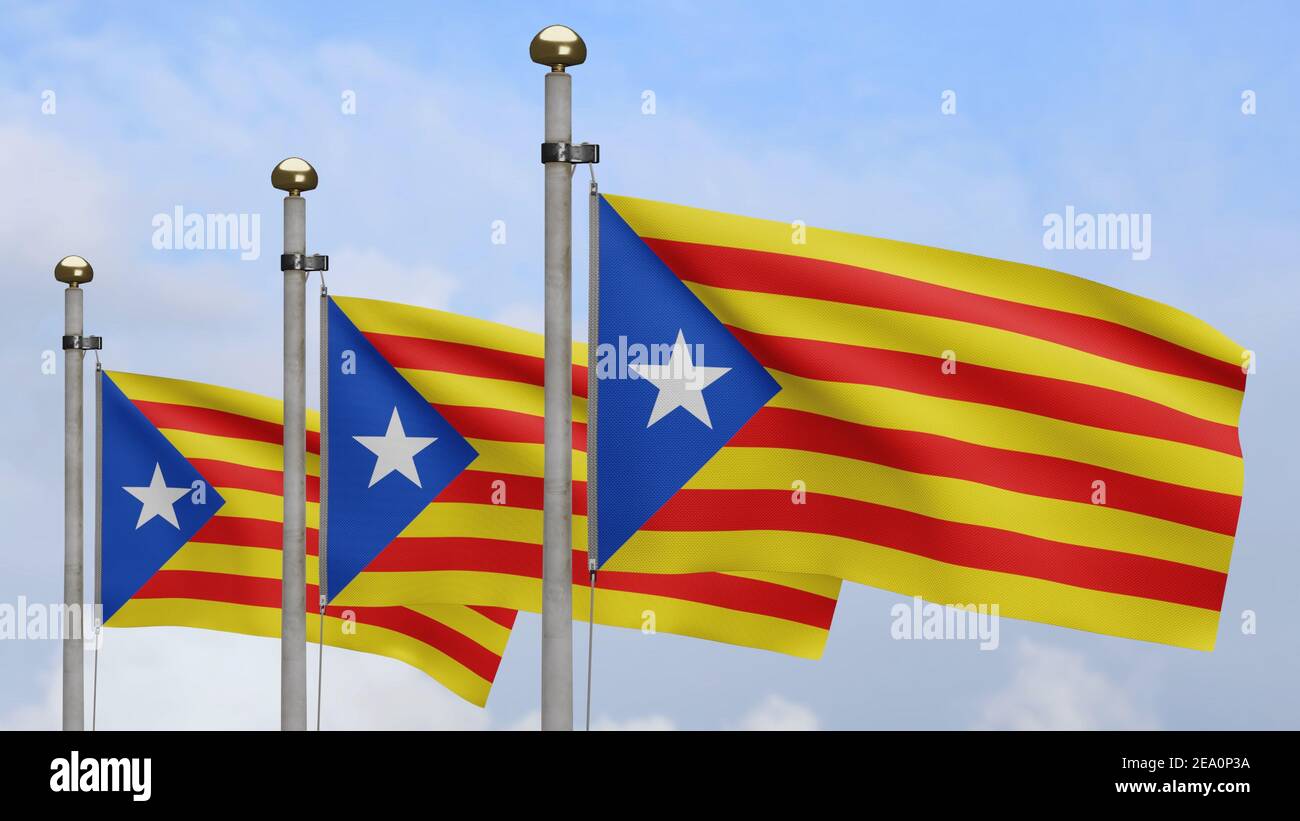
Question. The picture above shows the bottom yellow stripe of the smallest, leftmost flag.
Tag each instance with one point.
(265, 622)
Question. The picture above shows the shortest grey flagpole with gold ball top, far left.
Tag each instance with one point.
(75, 272)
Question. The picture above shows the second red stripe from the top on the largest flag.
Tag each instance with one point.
(1059, 399)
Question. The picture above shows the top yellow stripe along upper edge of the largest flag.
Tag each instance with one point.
(1011, 281)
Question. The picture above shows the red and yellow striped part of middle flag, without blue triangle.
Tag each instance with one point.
(480, 540)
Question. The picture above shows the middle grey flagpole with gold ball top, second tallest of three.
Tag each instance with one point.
(294, 176)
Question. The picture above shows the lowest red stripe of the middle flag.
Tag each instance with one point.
(419, 554)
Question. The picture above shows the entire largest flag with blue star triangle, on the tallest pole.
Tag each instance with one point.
(964, 429)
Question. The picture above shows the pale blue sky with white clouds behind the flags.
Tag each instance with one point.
(827, 114)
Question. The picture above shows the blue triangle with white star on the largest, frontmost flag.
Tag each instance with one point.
(656, 433)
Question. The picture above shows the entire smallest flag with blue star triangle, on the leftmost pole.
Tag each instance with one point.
(192, 505)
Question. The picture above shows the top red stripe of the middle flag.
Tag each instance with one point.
(470, 360)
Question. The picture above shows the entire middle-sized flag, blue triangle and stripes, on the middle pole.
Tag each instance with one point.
(480, 538)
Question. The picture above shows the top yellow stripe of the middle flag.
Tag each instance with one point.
(372, 316)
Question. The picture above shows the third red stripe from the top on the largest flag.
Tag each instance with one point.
(1028, 474)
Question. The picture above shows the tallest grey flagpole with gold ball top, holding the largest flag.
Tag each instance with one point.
(558, 47)
